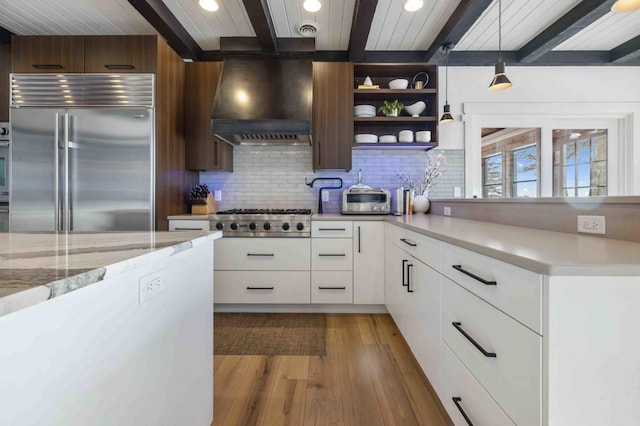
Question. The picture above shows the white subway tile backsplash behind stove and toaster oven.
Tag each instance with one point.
(274, 177)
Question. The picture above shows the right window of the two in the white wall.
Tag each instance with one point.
(580, 162)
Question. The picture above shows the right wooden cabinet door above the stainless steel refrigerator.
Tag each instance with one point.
(122, 54)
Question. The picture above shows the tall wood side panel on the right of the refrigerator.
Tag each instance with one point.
(173, 181)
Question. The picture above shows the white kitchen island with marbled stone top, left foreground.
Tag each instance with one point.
(106, 329)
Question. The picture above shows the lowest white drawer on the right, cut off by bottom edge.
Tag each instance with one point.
(473, 400)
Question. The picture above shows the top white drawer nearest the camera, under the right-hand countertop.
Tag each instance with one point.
(516, 291)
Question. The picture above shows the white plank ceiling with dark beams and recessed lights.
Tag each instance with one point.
(534, 32)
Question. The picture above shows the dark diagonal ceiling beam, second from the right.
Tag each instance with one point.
(575, 20)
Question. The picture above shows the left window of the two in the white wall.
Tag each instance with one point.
(510, 162)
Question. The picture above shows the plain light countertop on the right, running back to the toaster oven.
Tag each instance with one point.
(544, 252)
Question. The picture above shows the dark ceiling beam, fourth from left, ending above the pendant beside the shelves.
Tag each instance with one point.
(463, 18)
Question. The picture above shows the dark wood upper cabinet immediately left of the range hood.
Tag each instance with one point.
(203, 150)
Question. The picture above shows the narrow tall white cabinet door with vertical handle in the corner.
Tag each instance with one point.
(368, 262)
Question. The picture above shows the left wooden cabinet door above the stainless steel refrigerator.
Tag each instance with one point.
(61, 54)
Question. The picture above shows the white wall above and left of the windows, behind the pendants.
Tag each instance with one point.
(535, 84)
